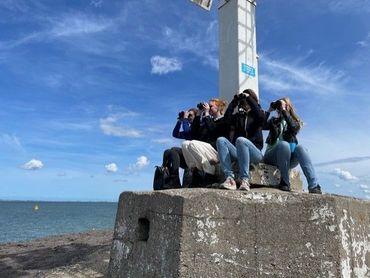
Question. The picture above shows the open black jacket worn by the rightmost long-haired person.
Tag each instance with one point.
(274, 126)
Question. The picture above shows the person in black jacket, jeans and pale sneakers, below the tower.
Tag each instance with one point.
(245, 140)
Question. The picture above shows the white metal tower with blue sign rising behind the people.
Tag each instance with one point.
(238, 65)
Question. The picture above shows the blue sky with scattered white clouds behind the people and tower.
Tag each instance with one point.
(90, 90)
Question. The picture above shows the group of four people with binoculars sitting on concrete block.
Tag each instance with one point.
(215, 134)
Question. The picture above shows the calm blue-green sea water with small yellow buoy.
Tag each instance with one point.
(20, 221)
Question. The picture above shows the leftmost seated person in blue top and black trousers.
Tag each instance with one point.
(173, 158)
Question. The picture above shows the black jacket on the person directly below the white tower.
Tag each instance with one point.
(252, 130)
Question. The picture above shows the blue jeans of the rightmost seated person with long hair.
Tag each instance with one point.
(282, 157)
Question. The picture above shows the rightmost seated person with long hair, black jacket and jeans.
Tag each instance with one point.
(283, 149)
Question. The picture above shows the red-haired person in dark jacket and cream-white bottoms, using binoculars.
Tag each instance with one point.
(201, 154)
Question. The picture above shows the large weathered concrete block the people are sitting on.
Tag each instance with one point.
(215, 233)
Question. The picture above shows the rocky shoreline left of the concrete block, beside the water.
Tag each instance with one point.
(71, 255)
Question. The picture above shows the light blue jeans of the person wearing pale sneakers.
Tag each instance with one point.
(244, 151)
